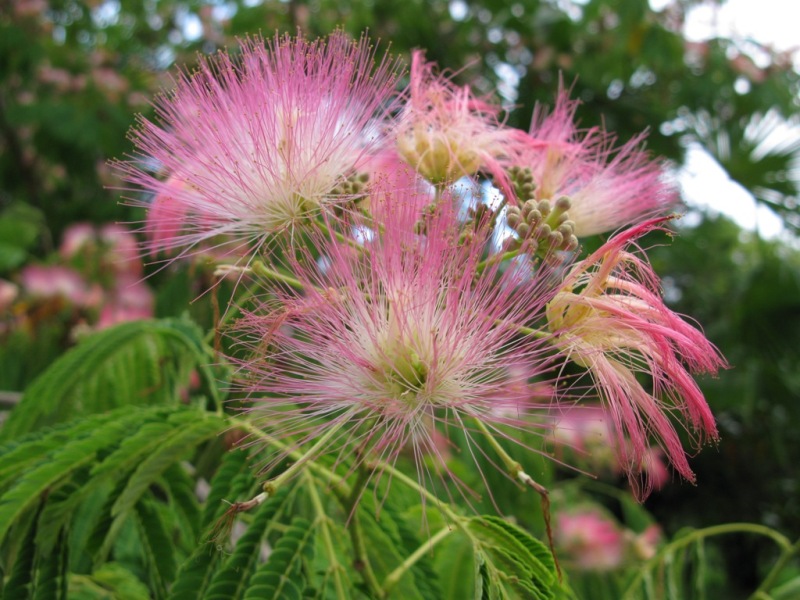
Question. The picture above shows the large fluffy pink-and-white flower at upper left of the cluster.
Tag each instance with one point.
(252, 144)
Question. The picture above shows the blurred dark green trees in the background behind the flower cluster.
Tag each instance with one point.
(73, 74)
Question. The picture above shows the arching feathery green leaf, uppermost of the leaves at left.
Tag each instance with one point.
(135, 363)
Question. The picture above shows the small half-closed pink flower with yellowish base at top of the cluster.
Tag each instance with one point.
(446, 133)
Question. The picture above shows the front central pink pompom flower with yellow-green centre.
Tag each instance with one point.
(389, 347)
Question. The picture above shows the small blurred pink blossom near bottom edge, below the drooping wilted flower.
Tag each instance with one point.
(591, 540)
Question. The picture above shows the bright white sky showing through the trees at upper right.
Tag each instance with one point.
(769, 22)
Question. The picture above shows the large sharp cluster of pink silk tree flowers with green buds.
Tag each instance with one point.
(403, 307)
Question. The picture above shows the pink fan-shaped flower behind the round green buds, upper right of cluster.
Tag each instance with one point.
(608, 188)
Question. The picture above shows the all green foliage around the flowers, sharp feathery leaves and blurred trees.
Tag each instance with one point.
(118, 465)
